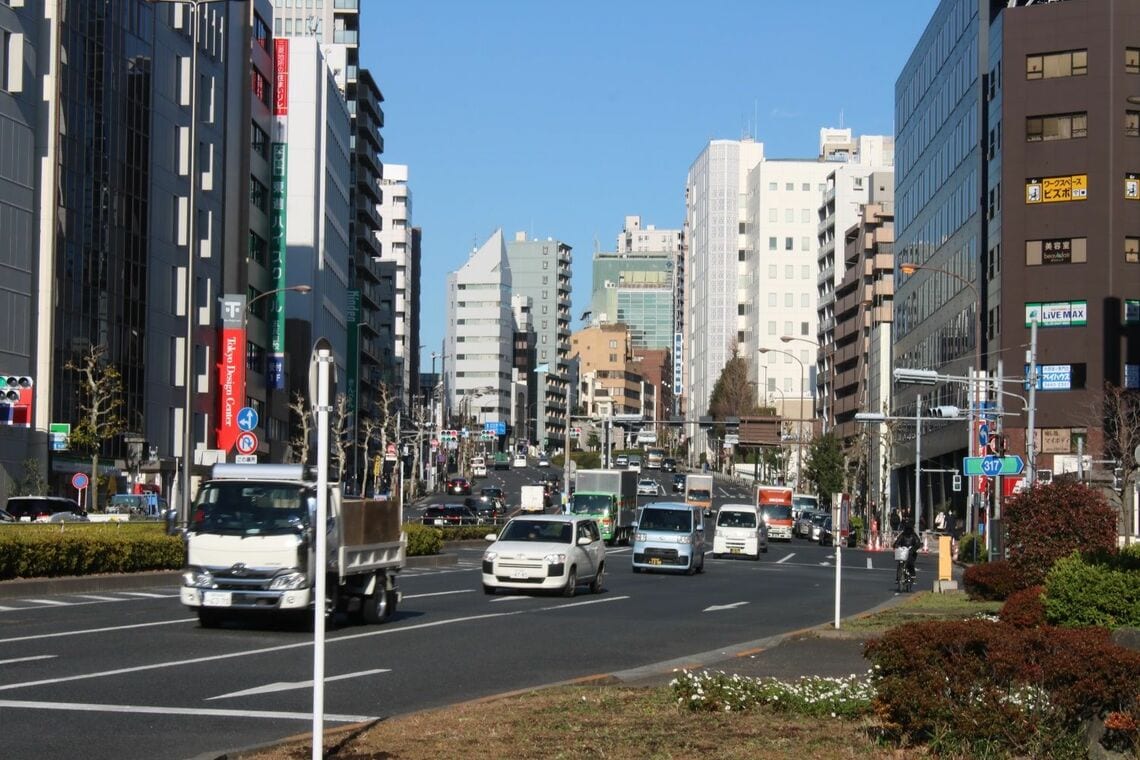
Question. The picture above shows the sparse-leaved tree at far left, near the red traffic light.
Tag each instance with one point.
(100, 404)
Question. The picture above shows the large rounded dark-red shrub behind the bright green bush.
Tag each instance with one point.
(1048, 522)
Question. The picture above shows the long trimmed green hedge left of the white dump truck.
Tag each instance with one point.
(50, 551)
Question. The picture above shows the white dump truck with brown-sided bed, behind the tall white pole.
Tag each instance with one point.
(251, 547)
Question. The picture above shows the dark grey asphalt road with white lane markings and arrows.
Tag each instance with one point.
(132, 675)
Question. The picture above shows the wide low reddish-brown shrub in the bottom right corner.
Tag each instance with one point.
(1025, 690)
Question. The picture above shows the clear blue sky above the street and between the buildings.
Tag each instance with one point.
(560, 119)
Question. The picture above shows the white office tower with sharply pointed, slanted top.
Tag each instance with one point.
(481, 331)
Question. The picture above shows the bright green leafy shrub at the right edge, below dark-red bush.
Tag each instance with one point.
(1102, 592)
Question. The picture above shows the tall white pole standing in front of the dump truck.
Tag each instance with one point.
(321, 536)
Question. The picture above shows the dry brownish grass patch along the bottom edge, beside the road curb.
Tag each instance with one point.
(597, 722)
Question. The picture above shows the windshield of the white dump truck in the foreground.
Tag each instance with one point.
(246, 509)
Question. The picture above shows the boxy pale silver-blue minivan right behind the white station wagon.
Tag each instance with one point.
(670, 536)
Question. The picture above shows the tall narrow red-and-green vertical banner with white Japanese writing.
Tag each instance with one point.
(275, 374)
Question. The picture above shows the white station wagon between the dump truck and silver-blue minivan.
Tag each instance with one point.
(545, 553)
